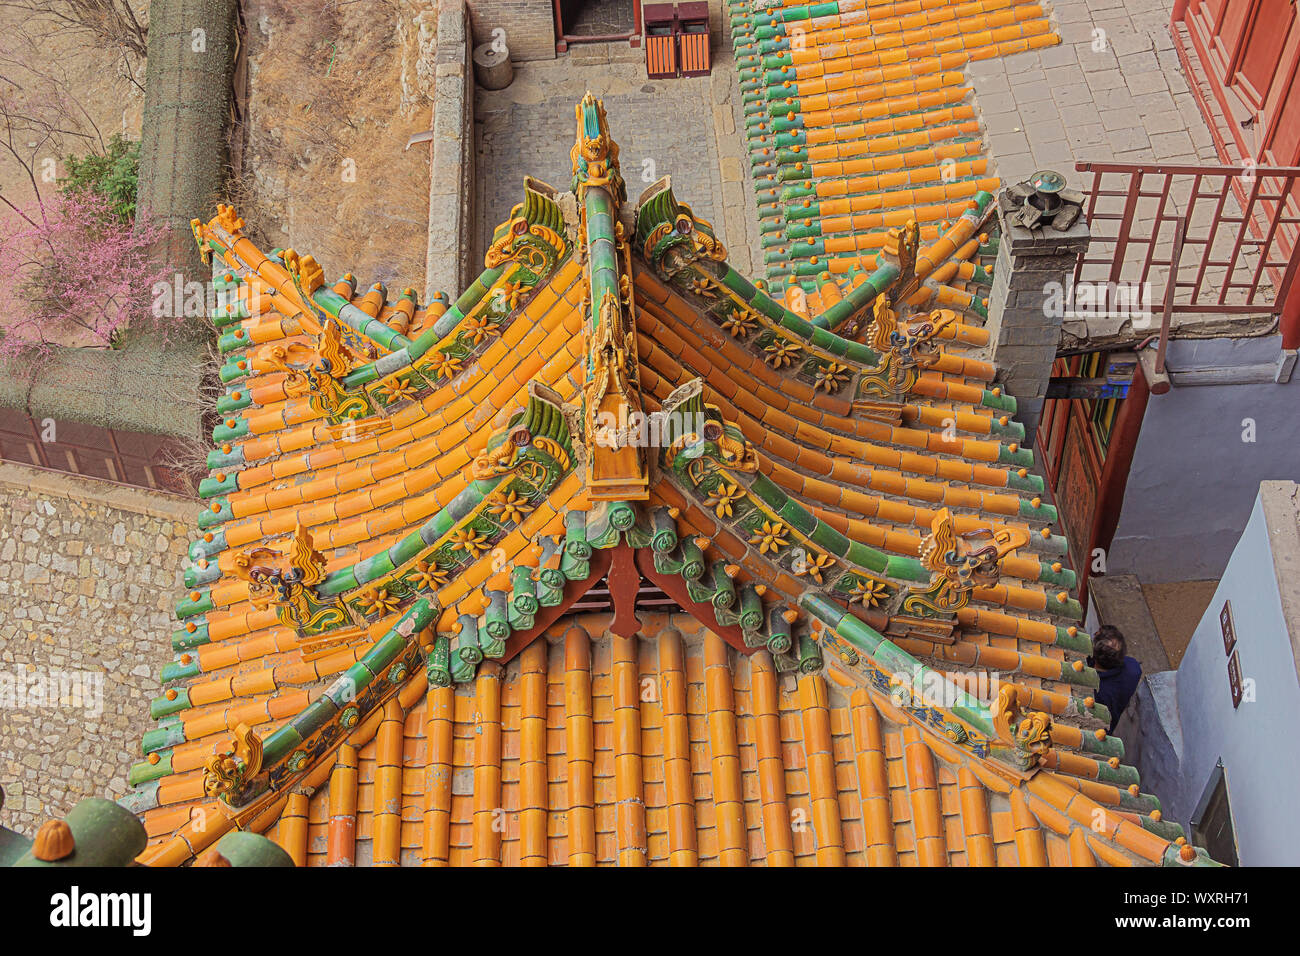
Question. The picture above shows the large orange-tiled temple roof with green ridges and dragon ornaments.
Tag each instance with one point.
(866, 647)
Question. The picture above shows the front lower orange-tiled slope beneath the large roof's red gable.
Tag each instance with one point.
(671, 749)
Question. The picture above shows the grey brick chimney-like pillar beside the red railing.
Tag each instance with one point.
(1025, 308)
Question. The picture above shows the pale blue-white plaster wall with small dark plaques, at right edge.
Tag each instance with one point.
(1256, 742)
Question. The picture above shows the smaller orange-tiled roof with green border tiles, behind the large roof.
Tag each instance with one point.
(857, 119)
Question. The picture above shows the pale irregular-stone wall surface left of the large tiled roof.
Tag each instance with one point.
(89, 574)
